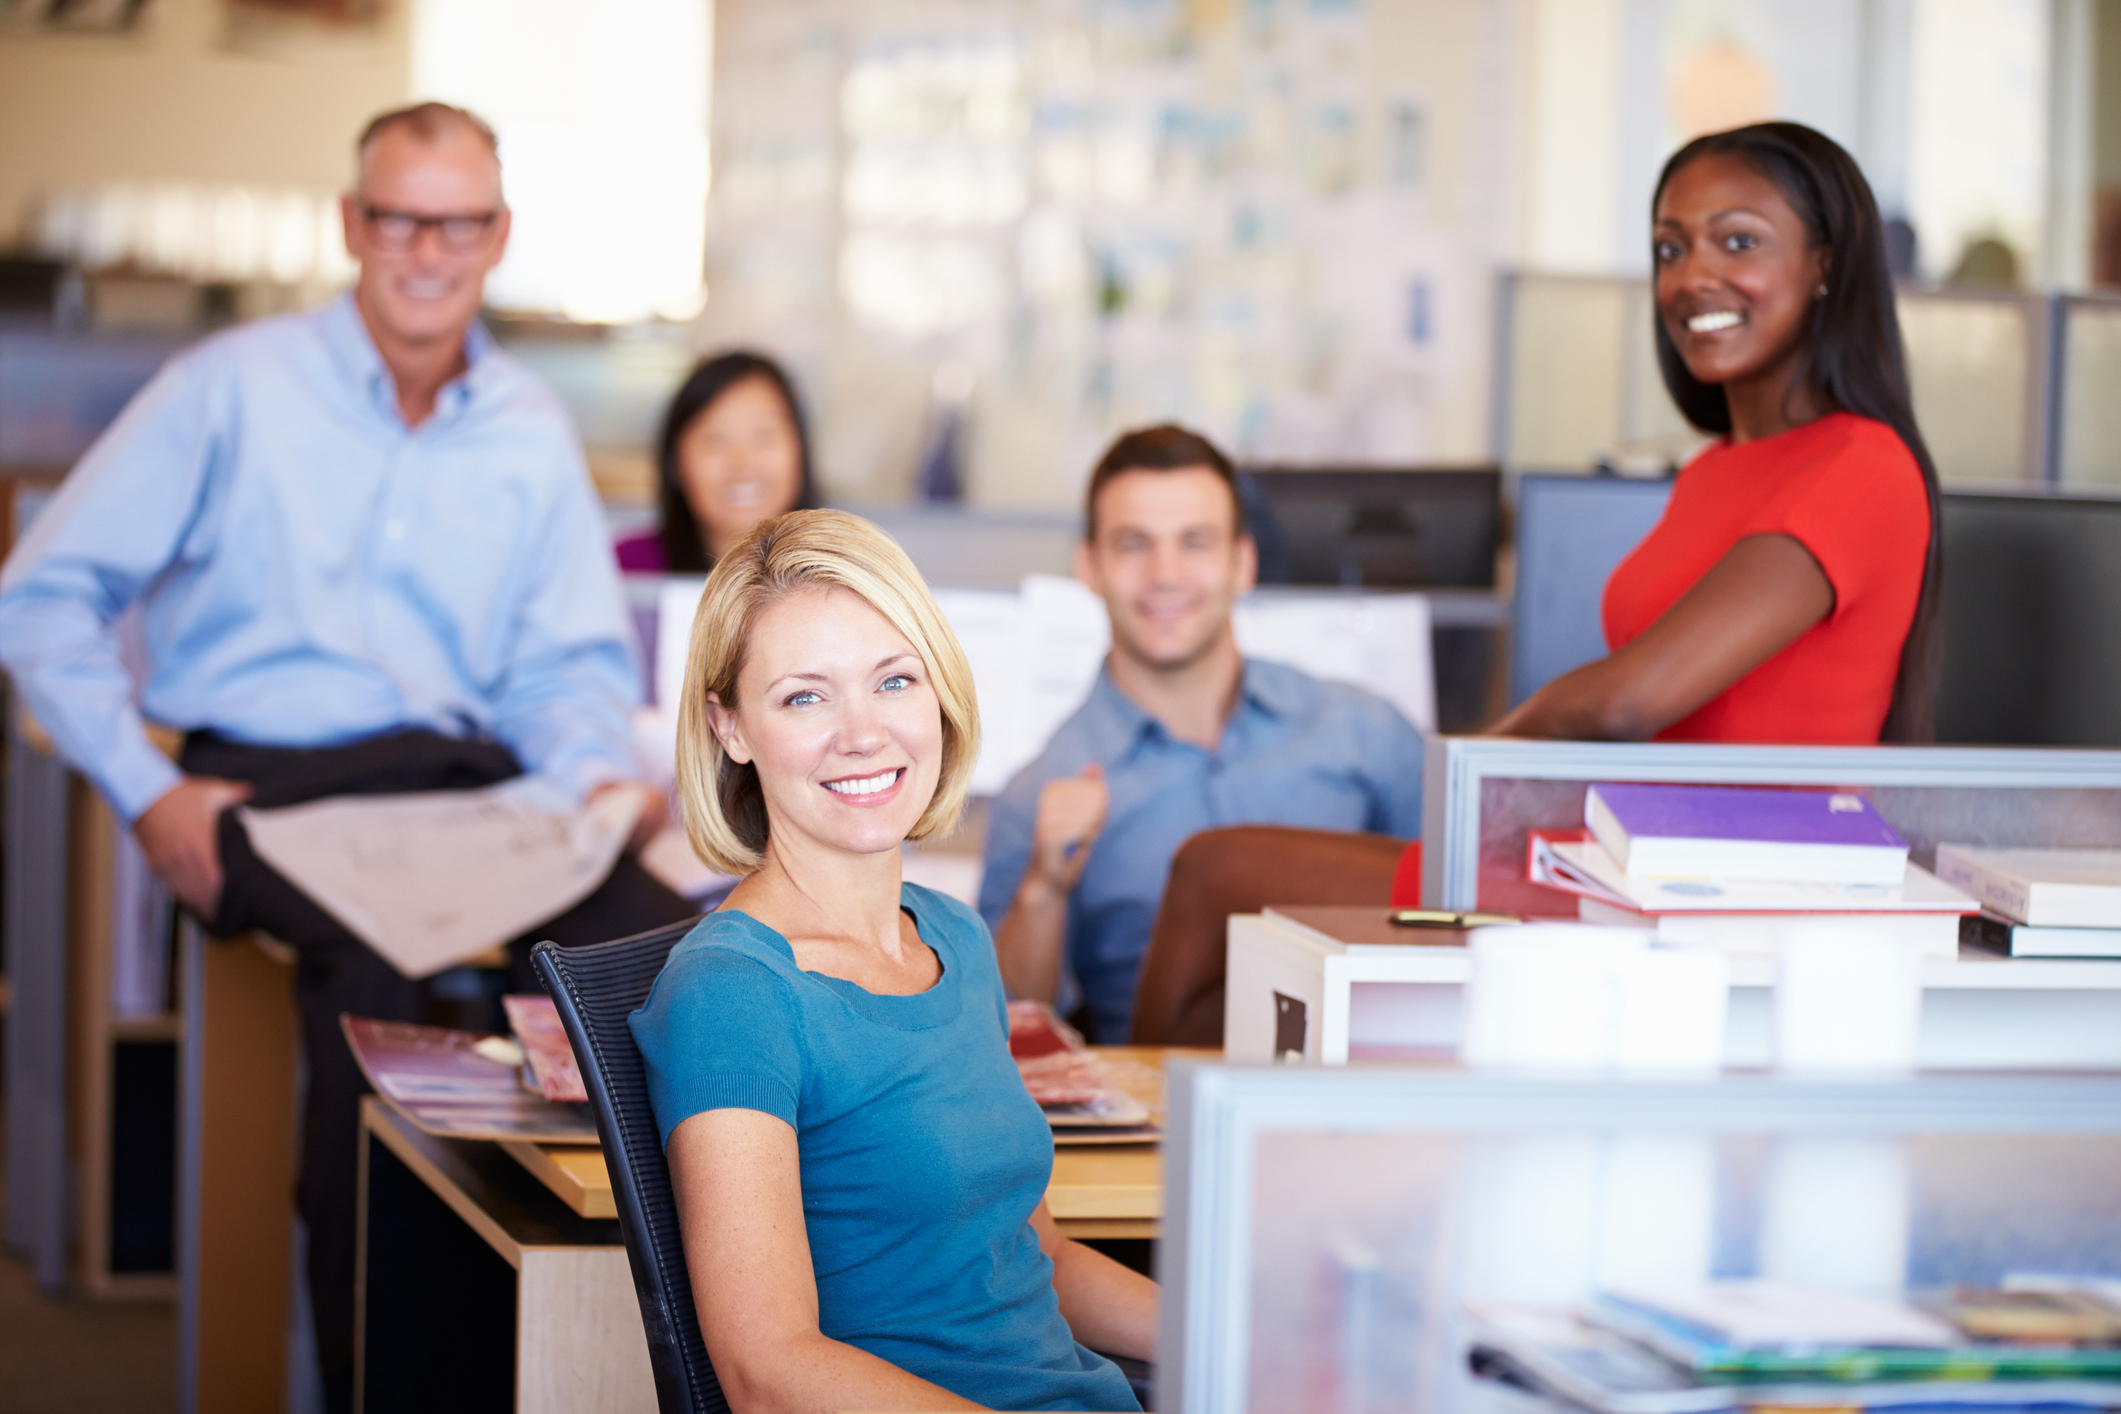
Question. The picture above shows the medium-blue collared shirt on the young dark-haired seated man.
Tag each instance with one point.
(1297, 752)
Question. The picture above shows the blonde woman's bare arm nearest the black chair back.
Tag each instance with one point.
(739, 1201)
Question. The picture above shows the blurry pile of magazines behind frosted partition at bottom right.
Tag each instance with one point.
(1753, 1343)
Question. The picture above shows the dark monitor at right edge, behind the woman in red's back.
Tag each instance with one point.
(2033, 620)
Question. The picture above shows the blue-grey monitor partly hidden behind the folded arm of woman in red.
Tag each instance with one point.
(1571, 535)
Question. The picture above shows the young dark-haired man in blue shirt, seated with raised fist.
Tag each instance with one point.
(1180, 735)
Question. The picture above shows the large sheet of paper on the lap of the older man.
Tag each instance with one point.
(438, 877)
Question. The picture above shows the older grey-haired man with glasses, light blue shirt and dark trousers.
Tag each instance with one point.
(366, 559)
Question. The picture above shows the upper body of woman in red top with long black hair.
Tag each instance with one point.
(1791, 590)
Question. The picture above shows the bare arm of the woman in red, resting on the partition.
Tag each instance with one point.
(1749, 607)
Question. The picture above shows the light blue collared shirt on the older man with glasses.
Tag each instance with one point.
(311, 571)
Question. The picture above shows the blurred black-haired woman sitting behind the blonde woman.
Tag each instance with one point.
(733, 453)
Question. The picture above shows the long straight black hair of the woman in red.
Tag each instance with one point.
(1853, 357)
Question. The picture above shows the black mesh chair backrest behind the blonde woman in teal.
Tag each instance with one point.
(595, 989)
